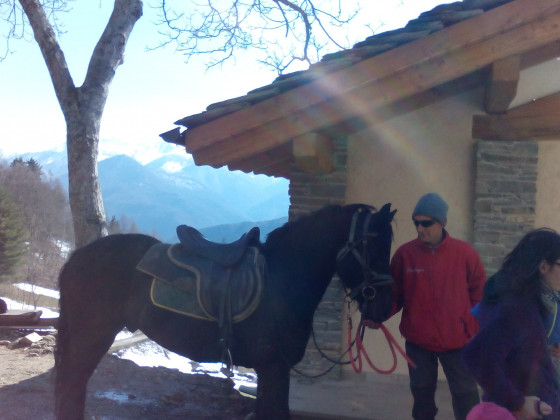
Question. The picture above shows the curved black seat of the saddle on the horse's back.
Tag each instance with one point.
(224, 254)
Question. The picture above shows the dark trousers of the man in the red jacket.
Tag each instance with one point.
(423, 382)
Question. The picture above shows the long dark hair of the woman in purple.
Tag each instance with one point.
(519, 274)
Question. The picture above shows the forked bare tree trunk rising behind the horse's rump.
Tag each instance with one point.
(83, 107)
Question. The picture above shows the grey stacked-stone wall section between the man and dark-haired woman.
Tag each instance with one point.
(505, 197)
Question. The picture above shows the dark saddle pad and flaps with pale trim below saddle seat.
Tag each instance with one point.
(196, 286)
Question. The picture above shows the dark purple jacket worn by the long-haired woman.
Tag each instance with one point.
(509, 357)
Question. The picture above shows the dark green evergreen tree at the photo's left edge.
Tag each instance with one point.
(12, 236)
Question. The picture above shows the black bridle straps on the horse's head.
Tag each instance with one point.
(371, 279)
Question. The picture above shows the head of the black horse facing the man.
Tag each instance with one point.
(363, 263)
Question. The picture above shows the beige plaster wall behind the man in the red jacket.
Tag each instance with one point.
(400, 160)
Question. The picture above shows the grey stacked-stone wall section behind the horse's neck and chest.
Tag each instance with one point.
(309, 192)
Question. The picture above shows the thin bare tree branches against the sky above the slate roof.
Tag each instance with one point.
(216, 29)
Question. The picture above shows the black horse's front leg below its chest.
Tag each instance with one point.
(273, 392)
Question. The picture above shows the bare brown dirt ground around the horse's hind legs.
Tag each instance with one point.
(118, 390)
